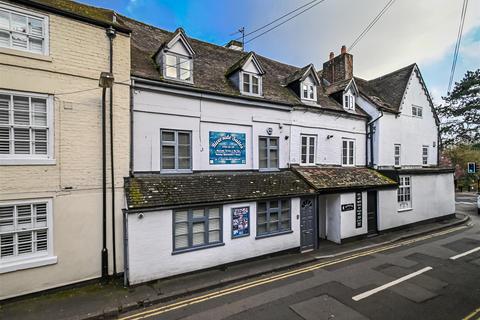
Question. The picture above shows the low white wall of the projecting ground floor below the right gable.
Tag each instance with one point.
(432, 196)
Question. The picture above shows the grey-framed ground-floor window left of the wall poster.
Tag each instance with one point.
(198, 227)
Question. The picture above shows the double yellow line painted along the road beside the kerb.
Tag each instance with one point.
(252, 284)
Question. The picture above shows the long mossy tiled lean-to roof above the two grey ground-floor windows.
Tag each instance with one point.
(157, 191)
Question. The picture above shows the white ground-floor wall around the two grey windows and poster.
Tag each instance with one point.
(150, 244)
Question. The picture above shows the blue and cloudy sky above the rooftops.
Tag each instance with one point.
(423, 31)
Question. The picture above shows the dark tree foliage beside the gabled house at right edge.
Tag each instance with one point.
(460, 116)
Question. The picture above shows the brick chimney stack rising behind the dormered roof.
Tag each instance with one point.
(338, 68)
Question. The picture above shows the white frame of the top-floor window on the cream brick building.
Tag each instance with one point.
(28, 13)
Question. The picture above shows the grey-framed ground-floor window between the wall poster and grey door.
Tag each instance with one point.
(273, 217)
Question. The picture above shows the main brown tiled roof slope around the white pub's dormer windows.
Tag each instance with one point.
(212, 63)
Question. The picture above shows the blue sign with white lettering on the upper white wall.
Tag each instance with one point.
(227, 148)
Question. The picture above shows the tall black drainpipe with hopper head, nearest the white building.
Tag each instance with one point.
(111, 33)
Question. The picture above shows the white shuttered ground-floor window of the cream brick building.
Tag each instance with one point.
(24, 230)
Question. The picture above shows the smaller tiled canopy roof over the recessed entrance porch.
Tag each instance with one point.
(328, 179)
